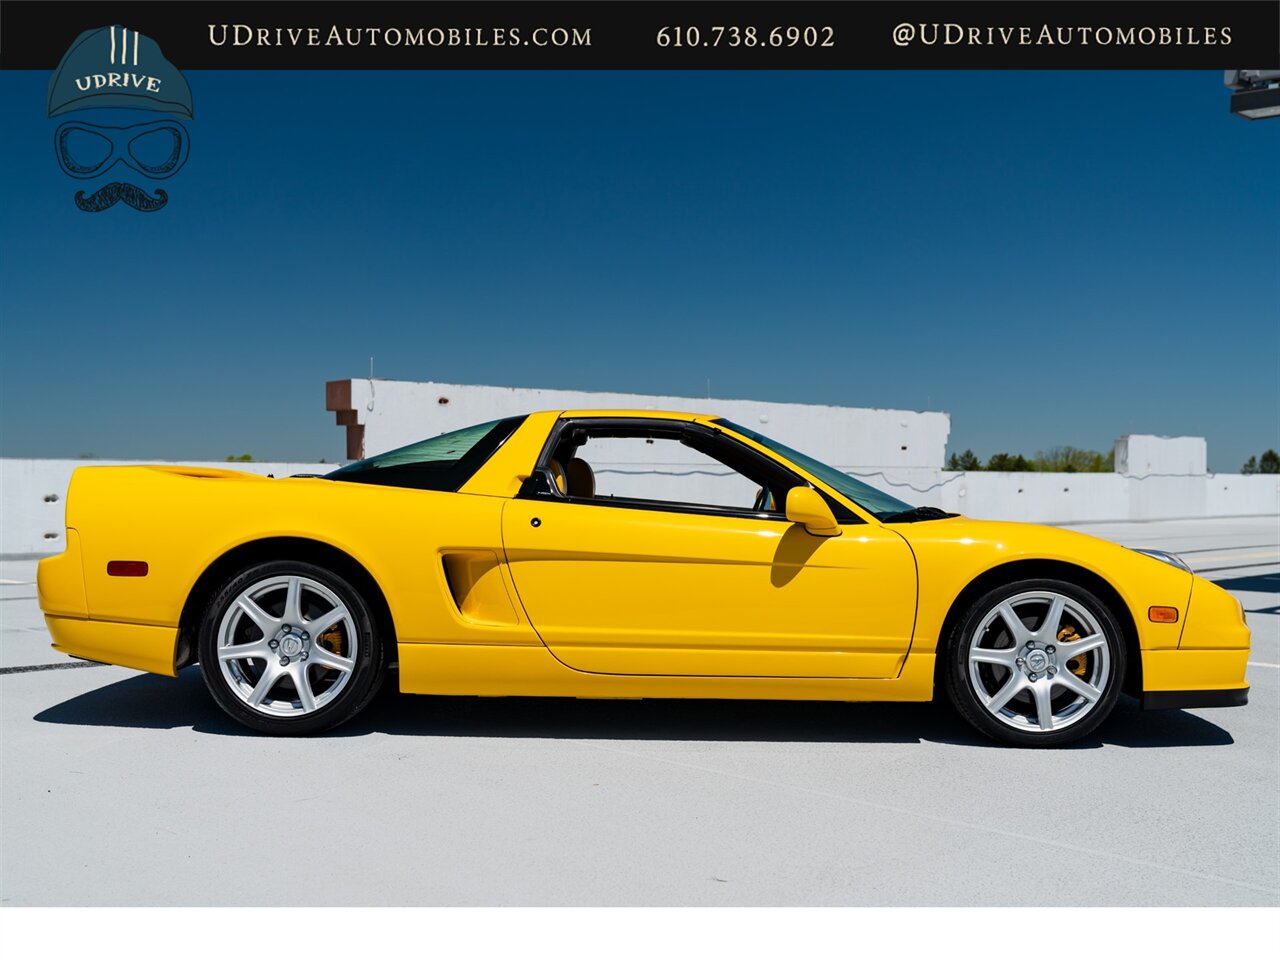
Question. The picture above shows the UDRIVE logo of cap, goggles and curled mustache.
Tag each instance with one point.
(112, 74)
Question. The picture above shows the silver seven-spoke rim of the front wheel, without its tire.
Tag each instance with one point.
(1026, 675)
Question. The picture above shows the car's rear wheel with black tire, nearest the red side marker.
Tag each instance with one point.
(290, 648)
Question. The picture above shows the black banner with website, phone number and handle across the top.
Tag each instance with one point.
(688, 35)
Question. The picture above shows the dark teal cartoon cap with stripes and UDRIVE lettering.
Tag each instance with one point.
(118, 67)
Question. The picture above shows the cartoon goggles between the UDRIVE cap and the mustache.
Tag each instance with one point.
(157, 149)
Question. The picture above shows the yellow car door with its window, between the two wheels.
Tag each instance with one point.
(643, 584)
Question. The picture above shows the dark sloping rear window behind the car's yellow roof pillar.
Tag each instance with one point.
(444, 463)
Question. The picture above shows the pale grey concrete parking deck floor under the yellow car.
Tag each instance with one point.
(125, 789)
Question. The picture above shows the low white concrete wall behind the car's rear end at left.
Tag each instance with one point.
(34, 497)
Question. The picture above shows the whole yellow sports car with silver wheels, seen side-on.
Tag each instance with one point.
(620, 555)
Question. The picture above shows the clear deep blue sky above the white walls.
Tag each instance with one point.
(1052, 258)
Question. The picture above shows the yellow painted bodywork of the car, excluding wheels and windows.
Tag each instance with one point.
(593, 601)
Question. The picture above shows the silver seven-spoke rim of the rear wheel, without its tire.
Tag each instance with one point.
(271, 651)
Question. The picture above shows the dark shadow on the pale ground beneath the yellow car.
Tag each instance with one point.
(161, 703)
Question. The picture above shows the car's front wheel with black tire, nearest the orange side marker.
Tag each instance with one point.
(1007, 682)
